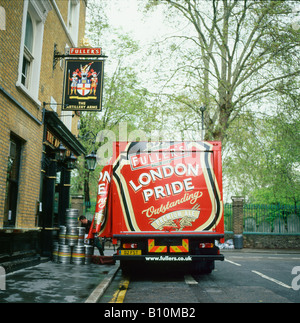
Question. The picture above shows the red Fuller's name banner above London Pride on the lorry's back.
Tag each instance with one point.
(146, 159)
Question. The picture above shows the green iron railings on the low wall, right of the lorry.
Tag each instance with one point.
(279, 218)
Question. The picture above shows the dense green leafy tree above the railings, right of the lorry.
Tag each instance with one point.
(262, 160)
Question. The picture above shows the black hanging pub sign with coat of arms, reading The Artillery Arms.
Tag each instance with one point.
(83, 85)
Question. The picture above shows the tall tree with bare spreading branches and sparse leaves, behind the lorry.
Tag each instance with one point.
(227, 55)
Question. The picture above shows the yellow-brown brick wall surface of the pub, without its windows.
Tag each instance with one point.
(19, 115)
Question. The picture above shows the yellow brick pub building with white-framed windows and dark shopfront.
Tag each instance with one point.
(34, 184)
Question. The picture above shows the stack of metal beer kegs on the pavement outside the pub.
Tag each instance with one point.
(70, 247)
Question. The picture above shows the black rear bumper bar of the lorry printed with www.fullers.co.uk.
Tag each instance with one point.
(170, 258)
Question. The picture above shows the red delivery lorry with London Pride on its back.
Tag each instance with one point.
(162, 202)
